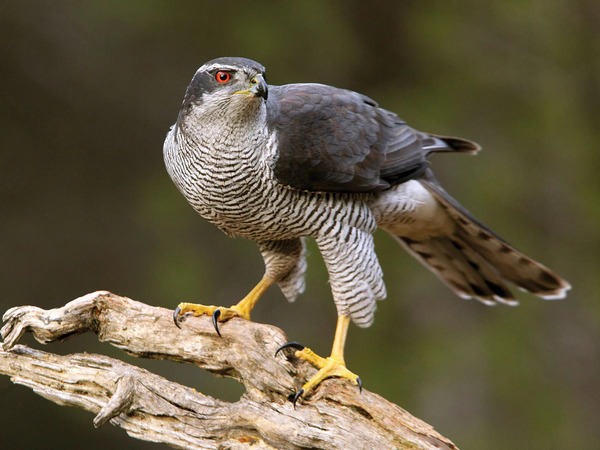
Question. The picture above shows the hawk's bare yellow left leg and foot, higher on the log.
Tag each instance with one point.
(222, 314)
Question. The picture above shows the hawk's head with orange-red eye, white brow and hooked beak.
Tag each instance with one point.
(226, 88)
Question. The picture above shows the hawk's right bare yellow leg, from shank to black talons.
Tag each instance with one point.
(333, 366)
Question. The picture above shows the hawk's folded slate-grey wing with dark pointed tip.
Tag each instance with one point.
(331, 139)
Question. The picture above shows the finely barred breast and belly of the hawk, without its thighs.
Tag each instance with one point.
(235, 189)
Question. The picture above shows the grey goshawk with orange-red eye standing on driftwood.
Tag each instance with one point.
(279, 164)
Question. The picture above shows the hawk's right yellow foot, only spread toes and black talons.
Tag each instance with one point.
(328, 367)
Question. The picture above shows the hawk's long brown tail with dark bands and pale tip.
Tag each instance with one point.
(475, 262)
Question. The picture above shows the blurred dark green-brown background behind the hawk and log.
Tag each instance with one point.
(90, 88)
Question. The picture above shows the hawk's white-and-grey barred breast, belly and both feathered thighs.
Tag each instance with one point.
(234, 189)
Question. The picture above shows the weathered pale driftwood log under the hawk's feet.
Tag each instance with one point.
(151, 408)
